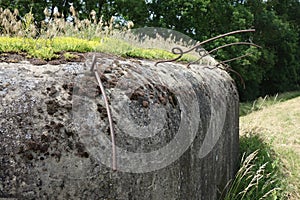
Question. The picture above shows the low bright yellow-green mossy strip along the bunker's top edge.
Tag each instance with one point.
(49, 48)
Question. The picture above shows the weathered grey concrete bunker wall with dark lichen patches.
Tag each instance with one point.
(45, 153)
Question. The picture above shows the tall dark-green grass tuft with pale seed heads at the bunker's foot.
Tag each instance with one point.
(259, 176)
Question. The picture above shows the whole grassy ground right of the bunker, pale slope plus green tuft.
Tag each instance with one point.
(269, 136)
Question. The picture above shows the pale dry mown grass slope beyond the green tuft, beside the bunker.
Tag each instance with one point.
(279, 125)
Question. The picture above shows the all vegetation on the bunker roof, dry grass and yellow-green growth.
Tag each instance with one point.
(94, 35)
